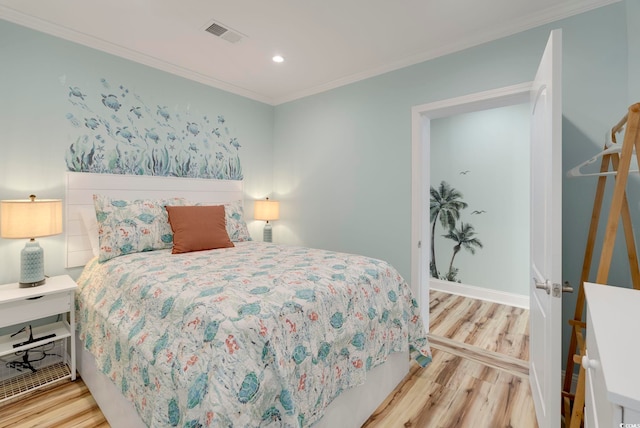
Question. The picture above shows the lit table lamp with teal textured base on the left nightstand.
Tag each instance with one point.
(31, 218)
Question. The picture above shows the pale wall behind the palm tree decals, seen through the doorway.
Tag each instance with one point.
(485, 156)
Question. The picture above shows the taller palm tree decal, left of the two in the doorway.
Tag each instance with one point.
(446, 205)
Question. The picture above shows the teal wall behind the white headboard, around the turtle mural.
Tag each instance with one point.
(36, 73)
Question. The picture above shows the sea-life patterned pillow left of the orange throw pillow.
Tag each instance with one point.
(126, 227)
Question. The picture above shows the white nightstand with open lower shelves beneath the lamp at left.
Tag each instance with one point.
(21, 305)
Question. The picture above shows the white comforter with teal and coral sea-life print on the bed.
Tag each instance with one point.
(255, 335)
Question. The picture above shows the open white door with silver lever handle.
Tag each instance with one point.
(546, 236)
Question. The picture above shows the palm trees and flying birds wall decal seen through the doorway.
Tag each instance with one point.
(446, 205)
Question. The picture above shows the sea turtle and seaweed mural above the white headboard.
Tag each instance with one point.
(119, 132)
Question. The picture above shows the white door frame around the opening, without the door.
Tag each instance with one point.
(421, 117)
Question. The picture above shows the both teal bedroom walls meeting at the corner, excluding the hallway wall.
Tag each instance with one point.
(340, 161)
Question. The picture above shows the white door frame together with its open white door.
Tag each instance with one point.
(545, 97)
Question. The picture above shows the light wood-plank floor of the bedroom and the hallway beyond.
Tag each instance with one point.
(478, 378)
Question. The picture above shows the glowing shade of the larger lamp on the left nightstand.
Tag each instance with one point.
(26, 218)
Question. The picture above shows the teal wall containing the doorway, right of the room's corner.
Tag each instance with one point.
(342, 159)
